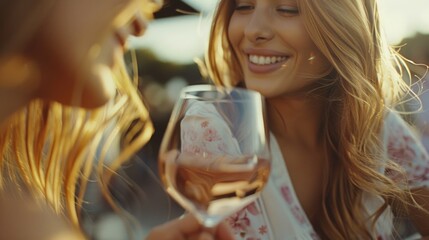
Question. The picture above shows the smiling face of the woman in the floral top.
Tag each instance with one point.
(276, 54)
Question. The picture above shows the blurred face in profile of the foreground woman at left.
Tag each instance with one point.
(78, 44)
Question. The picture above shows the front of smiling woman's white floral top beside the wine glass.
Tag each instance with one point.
(277, 213)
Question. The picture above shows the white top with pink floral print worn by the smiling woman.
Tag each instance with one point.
(278, 214)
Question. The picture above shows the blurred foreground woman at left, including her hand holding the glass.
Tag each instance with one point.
(65, 98)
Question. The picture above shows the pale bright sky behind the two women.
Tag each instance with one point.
(181, 39)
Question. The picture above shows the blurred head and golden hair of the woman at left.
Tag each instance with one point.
(53, 70)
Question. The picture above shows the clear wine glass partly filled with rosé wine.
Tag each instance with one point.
(214, 158)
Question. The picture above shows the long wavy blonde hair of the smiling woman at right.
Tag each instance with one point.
(366, 80)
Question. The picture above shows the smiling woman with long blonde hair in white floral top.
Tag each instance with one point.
(343, 159)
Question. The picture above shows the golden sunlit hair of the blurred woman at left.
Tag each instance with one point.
(49, 150)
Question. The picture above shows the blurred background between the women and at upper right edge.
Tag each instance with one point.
(168, 58)
